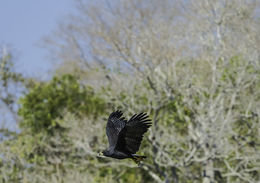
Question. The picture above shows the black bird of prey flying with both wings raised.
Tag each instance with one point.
(124, 136)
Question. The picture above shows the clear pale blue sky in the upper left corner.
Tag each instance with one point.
(23, 24)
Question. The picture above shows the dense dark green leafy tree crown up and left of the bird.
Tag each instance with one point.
(47, 101)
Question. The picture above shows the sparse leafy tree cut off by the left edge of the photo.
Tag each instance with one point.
(11, 86)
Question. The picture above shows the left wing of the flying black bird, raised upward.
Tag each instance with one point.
(115, 124)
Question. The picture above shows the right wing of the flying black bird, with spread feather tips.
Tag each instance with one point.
(131, 136)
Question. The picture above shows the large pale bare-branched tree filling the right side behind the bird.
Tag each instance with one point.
(182, 62)
